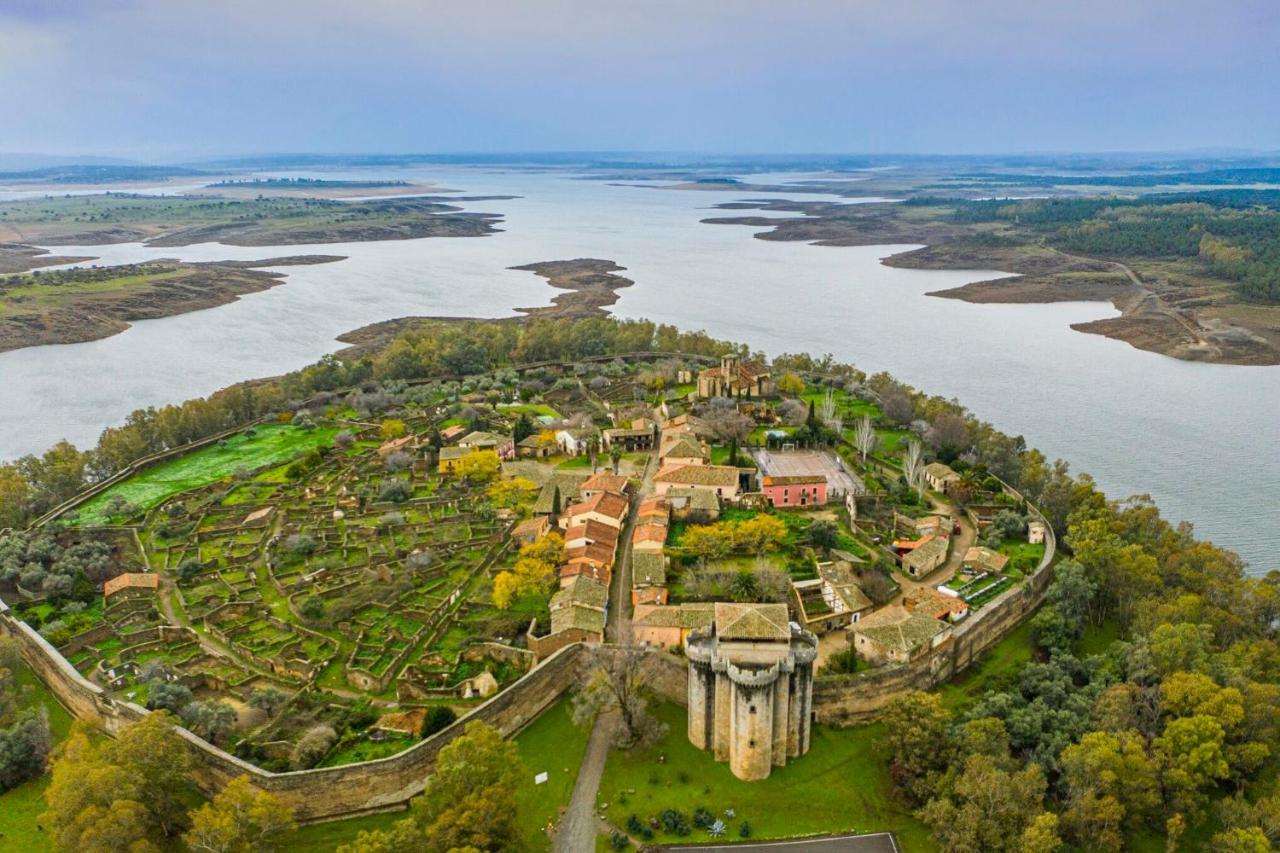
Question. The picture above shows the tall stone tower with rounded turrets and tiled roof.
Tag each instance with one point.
(751, 688)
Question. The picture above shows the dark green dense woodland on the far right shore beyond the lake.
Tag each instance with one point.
(1235, 232)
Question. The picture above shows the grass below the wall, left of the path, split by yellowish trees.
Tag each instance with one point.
(551, 745)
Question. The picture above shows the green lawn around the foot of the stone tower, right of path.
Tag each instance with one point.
(842, 786)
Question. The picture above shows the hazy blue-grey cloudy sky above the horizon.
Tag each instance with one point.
(157, 80)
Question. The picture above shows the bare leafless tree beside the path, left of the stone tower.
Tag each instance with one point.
(618, 681)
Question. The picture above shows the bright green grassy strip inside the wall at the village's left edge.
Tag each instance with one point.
(272, 445)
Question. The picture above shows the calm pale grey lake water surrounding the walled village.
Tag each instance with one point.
(1200, 439)
